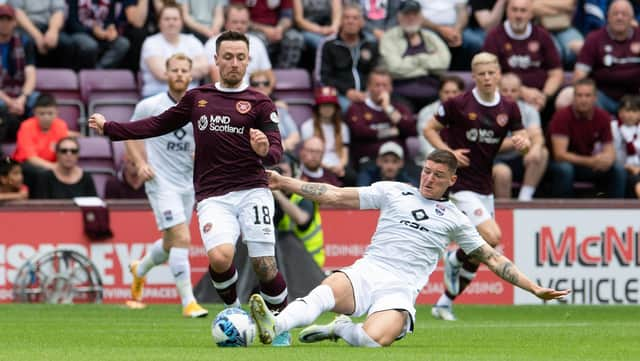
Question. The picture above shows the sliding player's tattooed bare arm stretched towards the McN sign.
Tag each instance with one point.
(504, 268)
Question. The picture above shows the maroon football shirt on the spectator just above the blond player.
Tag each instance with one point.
(531, 57)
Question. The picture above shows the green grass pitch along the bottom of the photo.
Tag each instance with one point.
(112, 332)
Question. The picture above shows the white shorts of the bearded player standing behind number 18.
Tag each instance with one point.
(171, 208)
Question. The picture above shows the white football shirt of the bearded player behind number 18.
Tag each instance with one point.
(169, 155)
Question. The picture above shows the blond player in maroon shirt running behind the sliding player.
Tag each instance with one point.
(477, 122)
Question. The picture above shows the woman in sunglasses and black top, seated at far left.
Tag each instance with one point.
(66, 180)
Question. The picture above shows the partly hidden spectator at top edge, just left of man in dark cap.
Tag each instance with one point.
(380, 16)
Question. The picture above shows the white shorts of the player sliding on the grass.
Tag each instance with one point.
(375, 289)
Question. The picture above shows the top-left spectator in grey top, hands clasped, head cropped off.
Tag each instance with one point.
(43, 21)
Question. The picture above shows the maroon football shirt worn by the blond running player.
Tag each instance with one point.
(481, 128)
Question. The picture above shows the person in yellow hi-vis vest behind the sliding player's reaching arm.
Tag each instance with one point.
(299, 215)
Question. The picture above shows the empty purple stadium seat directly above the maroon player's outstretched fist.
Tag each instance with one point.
(113, 93)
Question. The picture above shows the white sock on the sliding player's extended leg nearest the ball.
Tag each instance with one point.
(303, 311)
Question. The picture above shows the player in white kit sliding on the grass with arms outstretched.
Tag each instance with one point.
(413, 230)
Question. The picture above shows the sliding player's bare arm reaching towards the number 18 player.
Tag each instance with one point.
(323, 193)
